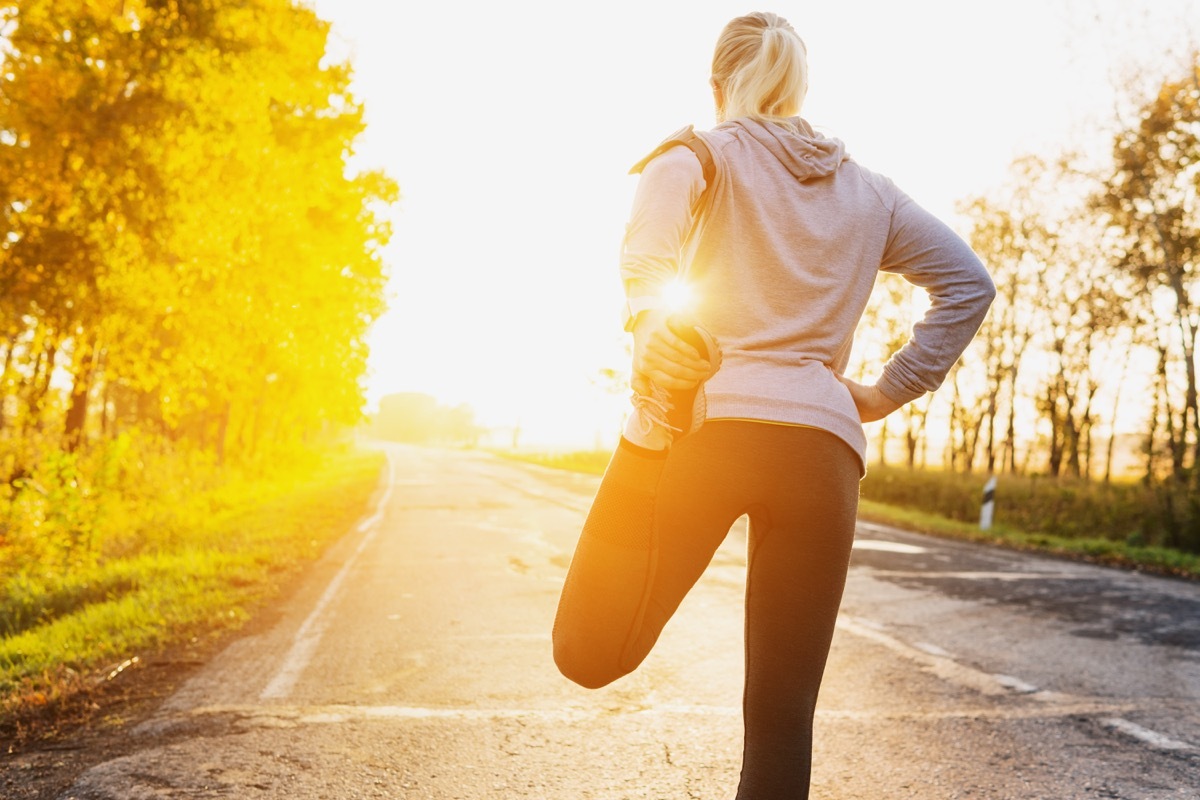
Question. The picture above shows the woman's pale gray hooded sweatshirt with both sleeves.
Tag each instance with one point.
(782, 258)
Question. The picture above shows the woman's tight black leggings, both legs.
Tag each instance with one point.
(653, 530)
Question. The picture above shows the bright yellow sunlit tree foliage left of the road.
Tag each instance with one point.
(178, 219)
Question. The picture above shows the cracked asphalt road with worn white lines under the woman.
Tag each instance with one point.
(416, 664)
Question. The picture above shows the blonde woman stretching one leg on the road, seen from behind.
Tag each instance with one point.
(781, 246)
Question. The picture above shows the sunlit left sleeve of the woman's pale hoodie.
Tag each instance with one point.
(659, 224)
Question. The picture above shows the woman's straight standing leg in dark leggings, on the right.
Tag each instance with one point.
(801, 536)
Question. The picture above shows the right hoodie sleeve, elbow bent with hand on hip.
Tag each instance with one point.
(929, 255)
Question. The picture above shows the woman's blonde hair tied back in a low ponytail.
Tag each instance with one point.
(761, 68)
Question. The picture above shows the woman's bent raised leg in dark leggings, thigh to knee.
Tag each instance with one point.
(652, 531)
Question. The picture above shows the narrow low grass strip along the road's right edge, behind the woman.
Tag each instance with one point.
(1118, 554)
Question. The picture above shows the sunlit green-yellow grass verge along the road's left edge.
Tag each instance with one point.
(227, 550)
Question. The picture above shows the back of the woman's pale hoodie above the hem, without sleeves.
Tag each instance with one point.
(791, 243)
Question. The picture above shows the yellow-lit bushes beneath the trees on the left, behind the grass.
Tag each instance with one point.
(93, 526)
